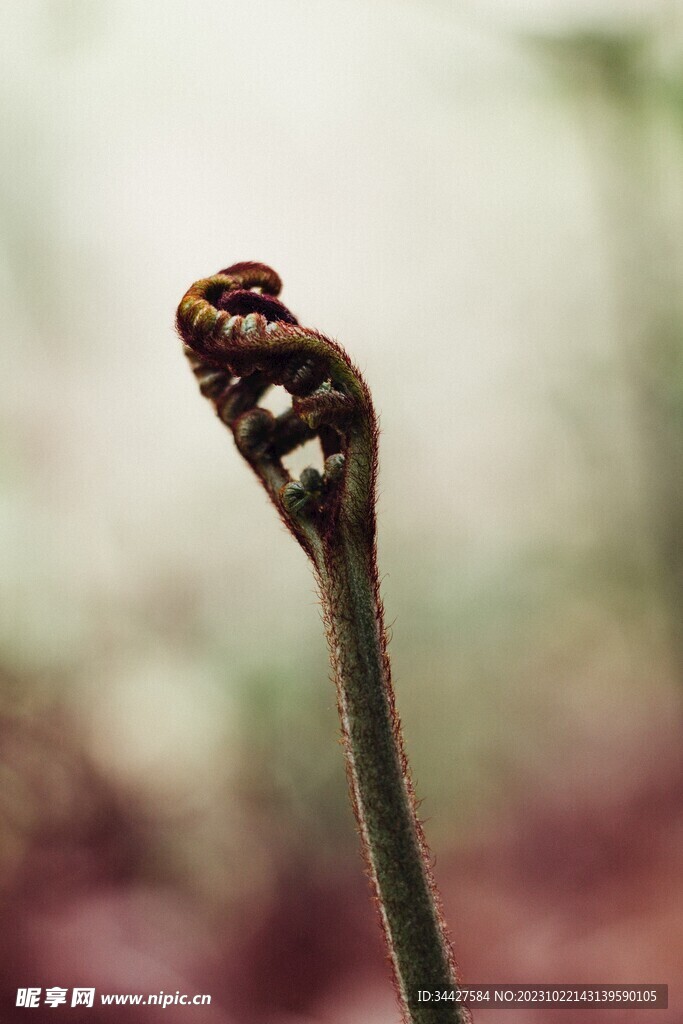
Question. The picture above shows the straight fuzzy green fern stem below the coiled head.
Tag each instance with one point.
(392, 835)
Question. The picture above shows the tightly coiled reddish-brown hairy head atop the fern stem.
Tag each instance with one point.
(253, 342)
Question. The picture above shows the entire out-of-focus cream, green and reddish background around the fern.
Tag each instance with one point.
(484, 203)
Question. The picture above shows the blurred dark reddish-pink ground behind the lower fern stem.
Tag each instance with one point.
(584, 887)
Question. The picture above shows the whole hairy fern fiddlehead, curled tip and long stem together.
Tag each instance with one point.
(241, 340)
